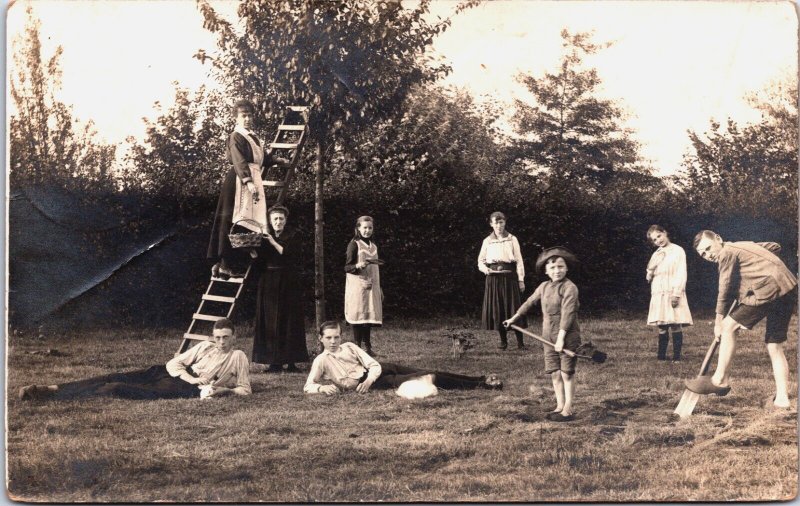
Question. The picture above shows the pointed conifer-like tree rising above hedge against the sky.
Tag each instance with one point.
(571, 135)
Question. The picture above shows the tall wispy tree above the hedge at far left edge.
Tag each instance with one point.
(46, 142)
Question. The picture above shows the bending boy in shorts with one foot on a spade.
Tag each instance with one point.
(752, 276)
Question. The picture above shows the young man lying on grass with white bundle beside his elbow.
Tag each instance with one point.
(343, 367)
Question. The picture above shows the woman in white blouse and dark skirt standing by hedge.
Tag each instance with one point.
(500, 260)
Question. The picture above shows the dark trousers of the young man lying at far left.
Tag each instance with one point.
(151, 383)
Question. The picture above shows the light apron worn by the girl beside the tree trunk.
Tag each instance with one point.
(363, 297)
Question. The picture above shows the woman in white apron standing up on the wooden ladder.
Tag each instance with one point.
(242, 194)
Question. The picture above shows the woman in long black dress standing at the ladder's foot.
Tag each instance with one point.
(280, 335)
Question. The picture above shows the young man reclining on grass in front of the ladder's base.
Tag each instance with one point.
(209, 369)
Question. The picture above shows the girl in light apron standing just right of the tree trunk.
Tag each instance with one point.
(363, 297)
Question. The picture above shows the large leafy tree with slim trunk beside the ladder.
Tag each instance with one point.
(353, 61)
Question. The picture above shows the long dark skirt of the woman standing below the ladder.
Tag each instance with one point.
(280, 334)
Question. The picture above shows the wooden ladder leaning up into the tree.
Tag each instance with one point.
(221, 294)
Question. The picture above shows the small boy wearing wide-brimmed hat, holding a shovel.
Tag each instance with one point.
(559, 299)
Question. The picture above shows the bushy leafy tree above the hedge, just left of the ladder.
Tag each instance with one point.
(181, 161)
